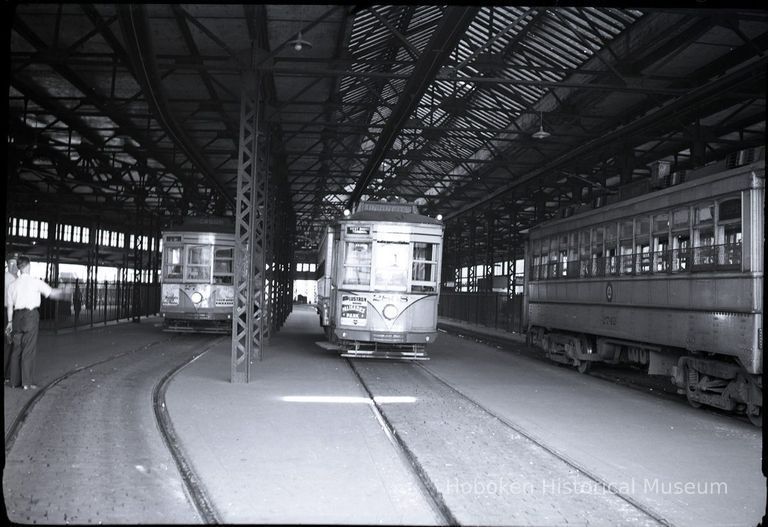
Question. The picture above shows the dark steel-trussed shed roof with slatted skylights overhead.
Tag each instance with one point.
(498, 116)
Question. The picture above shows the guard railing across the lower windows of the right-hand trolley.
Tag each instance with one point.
(725, 257)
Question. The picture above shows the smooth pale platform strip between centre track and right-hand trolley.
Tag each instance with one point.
(694, 467)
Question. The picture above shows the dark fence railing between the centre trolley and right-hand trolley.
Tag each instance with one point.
(494, 310)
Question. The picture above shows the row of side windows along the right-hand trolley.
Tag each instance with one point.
(702, 237)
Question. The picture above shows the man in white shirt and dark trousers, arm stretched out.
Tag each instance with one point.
(23, 301)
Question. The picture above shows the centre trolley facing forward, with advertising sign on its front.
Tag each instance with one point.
(379, 281)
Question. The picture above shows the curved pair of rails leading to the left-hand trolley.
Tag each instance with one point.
(191, 483)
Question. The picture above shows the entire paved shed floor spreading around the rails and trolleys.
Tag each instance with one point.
(300, 443)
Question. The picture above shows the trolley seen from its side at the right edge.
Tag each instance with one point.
(671, 280)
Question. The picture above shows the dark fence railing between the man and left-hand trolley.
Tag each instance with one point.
(94, 303)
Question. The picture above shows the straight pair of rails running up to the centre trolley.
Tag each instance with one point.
(428, 483)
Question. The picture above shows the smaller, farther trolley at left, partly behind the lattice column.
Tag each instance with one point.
(197, 276)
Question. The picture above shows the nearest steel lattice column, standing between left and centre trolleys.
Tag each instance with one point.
(250, 211)
